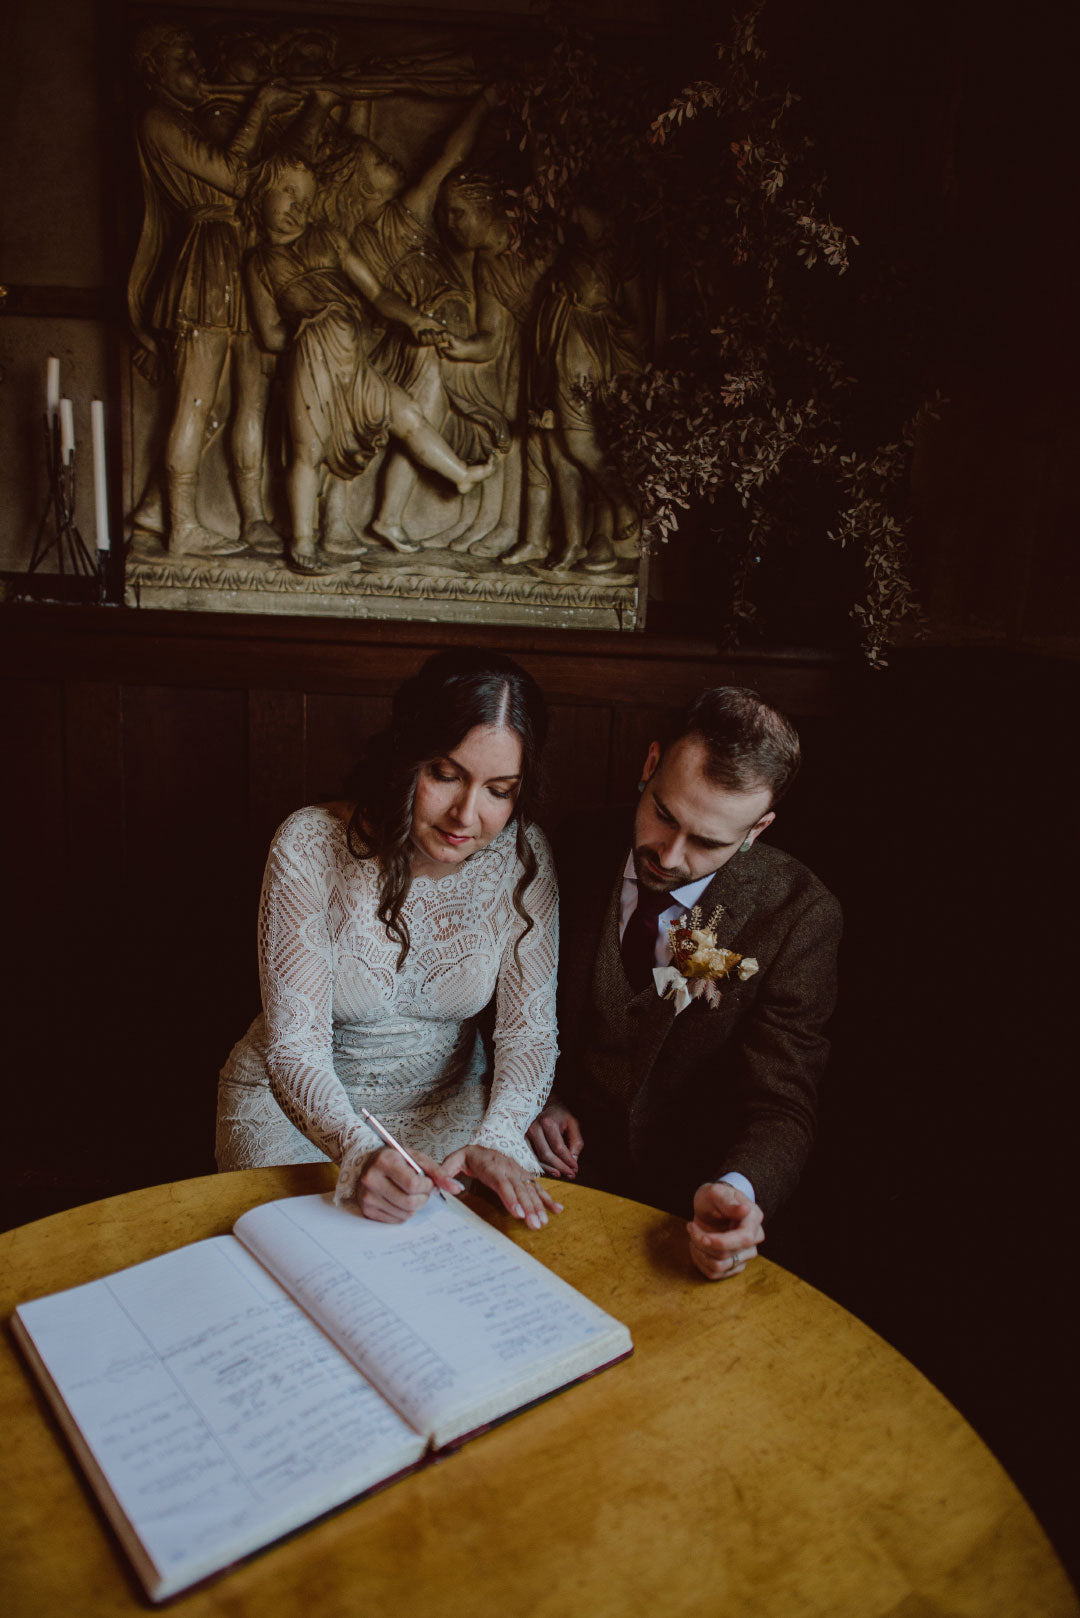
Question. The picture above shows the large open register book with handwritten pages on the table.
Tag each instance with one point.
(227, 1394)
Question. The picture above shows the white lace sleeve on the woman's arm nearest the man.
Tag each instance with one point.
(525, 1017)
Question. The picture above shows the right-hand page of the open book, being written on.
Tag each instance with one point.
(448, 1318)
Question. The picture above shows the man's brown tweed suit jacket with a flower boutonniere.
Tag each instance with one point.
(668, 1103)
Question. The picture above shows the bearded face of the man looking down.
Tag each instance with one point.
(687, 826)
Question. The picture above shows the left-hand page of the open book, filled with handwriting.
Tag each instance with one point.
(218, 1412)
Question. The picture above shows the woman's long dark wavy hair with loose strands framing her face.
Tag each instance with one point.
(433, 714)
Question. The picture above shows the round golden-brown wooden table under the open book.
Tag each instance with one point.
(762, 1455)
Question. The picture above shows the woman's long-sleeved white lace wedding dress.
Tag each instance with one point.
(344, 1030)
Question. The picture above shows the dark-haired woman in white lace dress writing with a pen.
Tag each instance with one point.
(386, 928)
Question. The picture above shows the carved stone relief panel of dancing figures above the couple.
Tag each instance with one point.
(360, 381)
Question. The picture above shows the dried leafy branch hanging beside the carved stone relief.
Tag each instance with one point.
(747, 407)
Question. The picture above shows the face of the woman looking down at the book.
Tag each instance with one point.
(466, 798)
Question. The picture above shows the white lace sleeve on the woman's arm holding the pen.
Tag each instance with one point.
(297, 978)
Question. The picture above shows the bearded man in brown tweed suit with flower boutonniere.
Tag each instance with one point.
(691, 1080)
